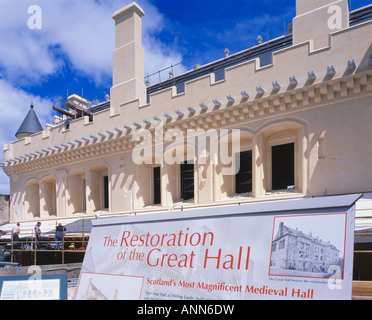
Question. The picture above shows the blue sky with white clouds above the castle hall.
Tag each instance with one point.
(73, 50)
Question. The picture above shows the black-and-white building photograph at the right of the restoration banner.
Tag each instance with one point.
(309, 246)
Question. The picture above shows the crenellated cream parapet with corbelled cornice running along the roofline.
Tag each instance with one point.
(299, 76)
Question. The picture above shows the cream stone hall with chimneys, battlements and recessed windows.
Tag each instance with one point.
(314, 98)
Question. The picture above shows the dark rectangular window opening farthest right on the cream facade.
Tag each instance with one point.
(283, 170)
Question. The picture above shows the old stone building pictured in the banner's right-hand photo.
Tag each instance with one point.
(295, 250)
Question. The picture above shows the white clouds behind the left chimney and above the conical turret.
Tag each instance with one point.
(75, 34)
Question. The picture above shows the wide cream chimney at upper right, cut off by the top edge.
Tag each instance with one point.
(316, 19)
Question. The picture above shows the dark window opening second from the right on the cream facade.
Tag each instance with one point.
(243, 179)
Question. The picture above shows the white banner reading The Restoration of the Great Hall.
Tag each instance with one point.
(305, 254)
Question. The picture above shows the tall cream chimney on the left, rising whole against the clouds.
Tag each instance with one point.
(128, 58)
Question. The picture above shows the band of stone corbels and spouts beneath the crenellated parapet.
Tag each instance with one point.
(216, 115)
